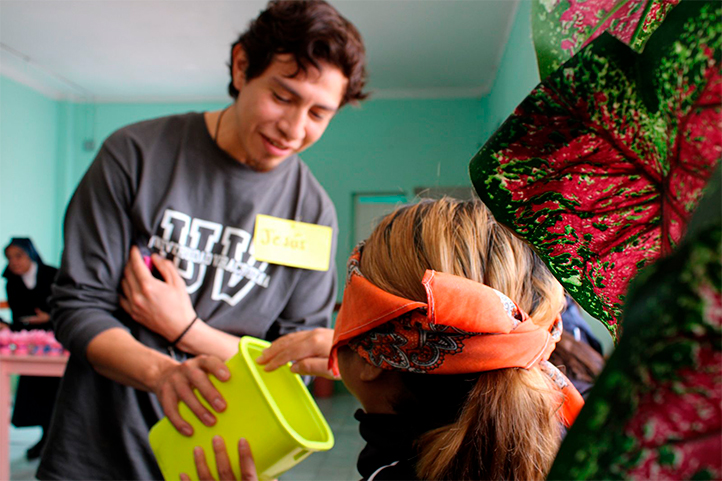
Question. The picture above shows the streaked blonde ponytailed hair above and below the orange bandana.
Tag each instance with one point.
(506, 427)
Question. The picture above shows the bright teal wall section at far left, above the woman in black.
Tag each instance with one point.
(29, 134)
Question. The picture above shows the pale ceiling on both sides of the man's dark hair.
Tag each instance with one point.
(170, 50)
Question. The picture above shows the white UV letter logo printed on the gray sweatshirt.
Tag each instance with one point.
(191, 243)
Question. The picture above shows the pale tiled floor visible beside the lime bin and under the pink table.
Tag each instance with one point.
(338, 464)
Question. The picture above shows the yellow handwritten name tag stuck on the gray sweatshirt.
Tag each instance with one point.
(291, 243)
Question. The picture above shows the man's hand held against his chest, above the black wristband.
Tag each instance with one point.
(162, 307)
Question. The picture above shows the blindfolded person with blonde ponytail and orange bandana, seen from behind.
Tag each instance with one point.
(434, 340)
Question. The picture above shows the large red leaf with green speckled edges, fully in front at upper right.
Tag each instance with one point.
(601, 165)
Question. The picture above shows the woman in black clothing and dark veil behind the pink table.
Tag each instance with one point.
(28, 289)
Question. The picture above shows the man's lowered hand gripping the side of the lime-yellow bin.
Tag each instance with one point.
(176, 384)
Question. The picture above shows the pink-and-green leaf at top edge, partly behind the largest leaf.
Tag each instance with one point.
(563, 27)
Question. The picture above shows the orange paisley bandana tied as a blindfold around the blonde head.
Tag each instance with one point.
(464, 327)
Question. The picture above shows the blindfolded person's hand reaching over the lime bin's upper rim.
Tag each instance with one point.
(308, 350)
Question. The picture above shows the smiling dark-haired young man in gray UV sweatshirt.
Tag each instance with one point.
(188, 187)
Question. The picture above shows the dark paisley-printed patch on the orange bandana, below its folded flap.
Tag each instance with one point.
(409, 346)
